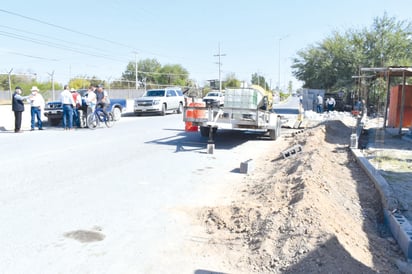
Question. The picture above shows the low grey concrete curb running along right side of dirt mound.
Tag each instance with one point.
(399, 226)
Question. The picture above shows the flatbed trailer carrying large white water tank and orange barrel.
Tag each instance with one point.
(245, 109)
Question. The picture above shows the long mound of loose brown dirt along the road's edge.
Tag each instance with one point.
(315, 212)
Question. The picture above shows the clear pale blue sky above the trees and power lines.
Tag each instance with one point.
(99, 38)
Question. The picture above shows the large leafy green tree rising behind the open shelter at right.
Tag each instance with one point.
(331, 63)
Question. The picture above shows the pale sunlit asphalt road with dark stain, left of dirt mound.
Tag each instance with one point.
(110, 200)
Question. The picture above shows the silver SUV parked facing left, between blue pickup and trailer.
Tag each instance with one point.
(160, 101)
